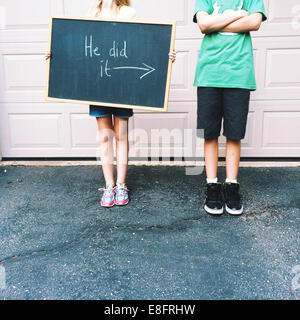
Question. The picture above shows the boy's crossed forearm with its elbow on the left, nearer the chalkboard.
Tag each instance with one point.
(209, 23)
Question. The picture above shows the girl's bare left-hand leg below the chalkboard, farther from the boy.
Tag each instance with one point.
(105, 136)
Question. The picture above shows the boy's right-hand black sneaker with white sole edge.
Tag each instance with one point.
(232, 198)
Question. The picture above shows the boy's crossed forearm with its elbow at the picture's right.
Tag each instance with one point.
(246, 24)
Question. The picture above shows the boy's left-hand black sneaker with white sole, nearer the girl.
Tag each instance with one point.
(214, 201)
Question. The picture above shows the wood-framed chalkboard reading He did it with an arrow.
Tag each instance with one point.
(110, 63)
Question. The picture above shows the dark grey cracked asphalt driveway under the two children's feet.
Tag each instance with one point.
(56, 242)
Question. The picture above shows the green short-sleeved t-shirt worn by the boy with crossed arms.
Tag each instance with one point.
(226, 59)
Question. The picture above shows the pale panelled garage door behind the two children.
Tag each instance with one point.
(31, 127)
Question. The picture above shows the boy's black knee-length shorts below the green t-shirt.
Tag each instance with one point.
(230, 104)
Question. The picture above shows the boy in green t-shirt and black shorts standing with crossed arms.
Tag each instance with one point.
(224, 77)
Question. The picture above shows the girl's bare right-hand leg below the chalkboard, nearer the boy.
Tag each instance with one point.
(122, 148)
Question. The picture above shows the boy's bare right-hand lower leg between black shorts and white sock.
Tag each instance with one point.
(233, 152)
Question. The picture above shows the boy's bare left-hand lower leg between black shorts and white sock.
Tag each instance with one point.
(211, 154)
